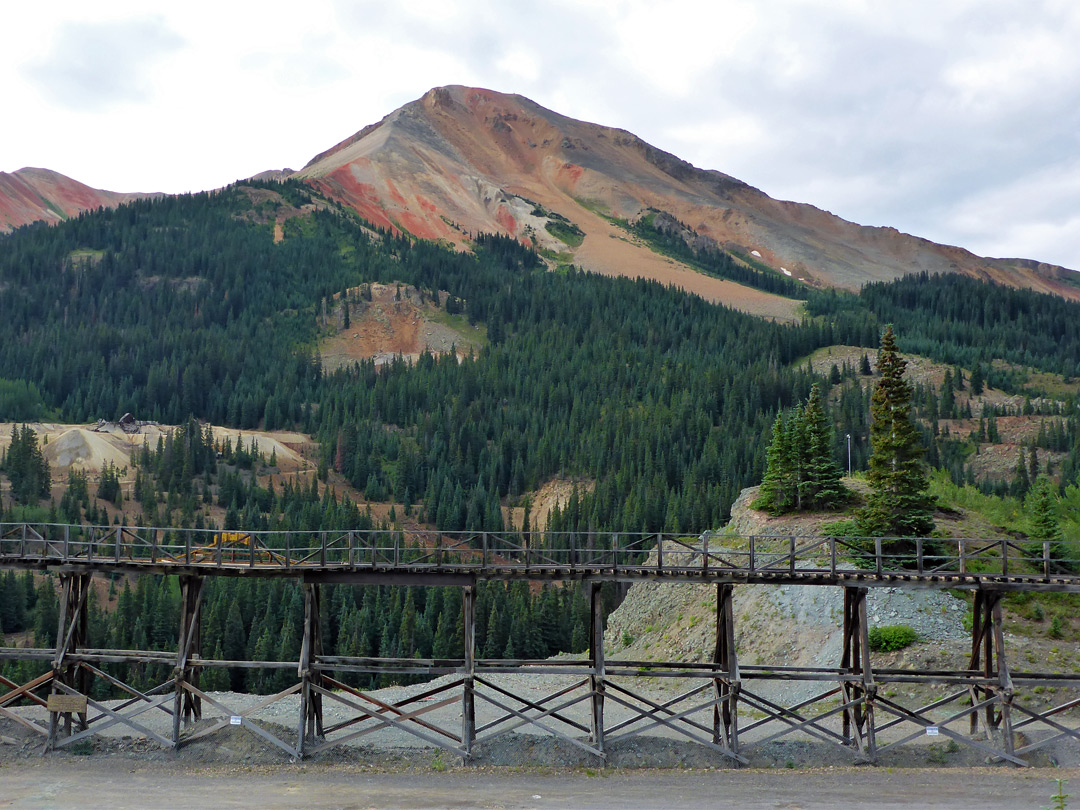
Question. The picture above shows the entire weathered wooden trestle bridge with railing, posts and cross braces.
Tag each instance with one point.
(980, 706)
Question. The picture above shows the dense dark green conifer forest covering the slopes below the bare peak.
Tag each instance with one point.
(185, 310)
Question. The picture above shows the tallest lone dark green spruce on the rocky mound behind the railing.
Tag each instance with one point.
(898, 504)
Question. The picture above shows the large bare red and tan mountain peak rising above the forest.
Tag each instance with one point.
(464, 160)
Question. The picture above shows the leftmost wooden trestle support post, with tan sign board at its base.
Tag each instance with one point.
(72, 633)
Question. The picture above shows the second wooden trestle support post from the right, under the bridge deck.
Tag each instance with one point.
(859, 688)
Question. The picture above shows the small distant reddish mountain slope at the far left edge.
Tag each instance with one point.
(31, 195)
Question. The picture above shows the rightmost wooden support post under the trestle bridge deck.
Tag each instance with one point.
(989, 656)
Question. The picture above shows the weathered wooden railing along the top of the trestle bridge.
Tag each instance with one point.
(709, 557)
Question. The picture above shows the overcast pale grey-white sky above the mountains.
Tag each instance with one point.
(956, 120)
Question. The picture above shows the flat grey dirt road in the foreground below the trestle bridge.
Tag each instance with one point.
(70, 786)
